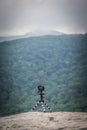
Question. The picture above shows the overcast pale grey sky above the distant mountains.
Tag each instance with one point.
(21, 16)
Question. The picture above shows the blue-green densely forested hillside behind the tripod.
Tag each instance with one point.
(57, 62)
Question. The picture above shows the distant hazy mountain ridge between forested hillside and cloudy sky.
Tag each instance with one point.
(34, 34)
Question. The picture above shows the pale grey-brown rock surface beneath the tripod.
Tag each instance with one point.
(45, 121)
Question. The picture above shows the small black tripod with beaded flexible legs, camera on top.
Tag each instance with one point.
(41, 102)
